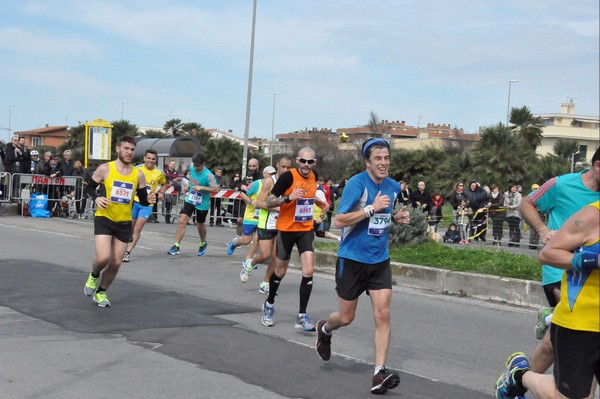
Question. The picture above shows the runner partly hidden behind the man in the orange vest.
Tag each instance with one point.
(266, 231)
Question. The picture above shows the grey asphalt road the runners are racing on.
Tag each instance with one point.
(186, 327)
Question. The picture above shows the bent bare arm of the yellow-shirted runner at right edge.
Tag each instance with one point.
(579, 229)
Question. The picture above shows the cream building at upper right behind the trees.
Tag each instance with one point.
(568, 125)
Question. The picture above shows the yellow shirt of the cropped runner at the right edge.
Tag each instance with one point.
(579, 306)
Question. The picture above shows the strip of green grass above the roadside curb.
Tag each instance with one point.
(470, 259)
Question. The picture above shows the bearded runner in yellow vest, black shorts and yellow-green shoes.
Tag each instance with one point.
(112, 221)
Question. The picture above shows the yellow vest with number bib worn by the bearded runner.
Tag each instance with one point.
(120, 190)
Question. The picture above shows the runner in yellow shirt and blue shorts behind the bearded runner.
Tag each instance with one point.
(139, 213)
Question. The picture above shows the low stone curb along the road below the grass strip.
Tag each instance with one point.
(512, 291)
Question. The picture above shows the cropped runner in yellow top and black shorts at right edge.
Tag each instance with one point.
(575, 328)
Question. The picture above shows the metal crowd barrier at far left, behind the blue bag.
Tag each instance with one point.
(64, 194)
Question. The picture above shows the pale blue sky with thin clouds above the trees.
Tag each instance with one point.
(324, 64)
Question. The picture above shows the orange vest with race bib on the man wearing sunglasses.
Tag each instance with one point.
(298, 215)
